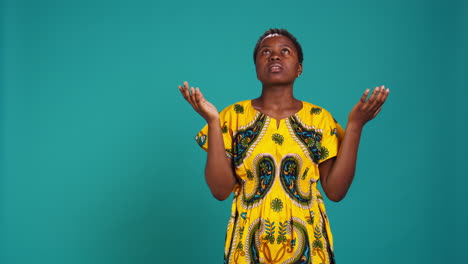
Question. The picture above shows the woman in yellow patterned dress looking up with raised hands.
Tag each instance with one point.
(271, 152)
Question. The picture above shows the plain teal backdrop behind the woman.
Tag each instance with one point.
(98, 162)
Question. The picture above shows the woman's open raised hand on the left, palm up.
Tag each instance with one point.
(195, 98)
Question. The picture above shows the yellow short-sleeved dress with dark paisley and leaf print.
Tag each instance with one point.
(278, 215)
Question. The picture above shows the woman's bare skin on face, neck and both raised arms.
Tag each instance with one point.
(277, 68)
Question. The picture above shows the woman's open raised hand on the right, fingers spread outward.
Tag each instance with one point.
(366, 110)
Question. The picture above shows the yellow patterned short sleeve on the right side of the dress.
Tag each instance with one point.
(332, 135)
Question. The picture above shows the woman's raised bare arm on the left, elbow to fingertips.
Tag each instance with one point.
(219, 172)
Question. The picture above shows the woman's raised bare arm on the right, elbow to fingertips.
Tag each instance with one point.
(336, 174)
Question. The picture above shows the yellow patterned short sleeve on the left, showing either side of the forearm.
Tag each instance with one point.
(226, 129)
